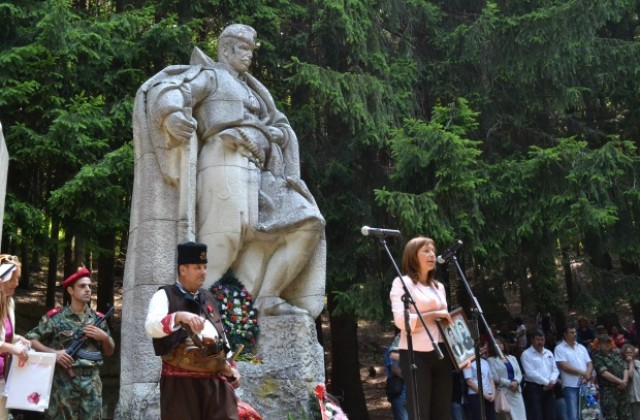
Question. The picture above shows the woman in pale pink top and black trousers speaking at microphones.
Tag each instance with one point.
(433, 375)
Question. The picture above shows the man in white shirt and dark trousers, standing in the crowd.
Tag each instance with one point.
(540, 377)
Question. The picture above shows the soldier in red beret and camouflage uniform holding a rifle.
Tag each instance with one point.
(77, 388)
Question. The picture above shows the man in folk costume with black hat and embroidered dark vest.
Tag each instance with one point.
(183, 320)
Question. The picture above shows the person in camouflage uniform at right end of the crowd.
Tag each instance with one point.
(613, 377)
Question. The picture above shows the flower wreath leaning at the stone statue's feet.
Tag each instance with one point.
(239, 317)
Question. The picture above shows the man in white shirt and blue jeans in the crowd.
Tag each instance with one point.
(575, 368)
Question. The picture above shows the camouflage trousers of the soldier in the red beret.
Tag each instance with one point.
(76, 398)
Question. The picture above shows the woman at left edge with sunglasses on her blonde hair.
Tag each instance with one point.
(10, 342)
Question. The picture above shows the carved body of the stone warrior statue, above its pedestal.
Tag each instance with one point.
(252, 209)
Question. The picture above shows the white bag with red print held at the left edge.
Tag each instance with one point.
(29, 386)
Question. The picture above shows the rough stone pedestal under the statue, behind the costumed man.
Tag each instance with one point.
(292, 365)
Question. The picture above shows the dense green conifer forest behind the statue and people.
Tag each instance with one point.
(513, 125)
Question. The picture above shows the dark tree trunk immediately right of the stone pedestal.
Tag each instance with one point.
(345, 364)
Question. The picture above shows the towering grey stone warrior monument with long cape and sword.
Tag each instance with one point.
(217, 162)
